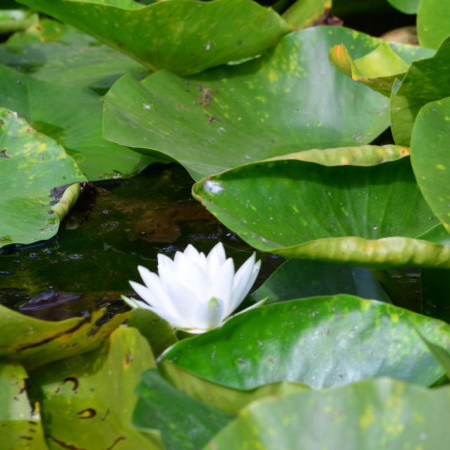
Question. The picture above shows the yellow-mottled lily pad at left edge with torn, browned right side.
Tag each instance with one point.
(35, 173)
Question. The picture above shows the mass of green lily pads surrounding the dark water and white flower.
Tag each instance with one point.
(285, 133)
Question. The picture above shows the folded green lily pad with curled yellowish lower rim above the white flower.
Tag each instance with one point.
(364, 216)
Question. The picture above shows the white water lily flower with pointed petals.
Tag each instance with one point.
(195, 292)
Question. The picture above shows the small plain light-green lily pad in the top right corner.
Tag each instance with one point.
(433, 22)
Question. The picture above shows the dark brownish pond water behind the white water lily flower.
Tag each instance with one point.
(114, 227)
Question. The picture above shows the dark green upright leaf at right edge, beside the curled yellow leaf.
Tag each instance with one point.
(426, 81)
